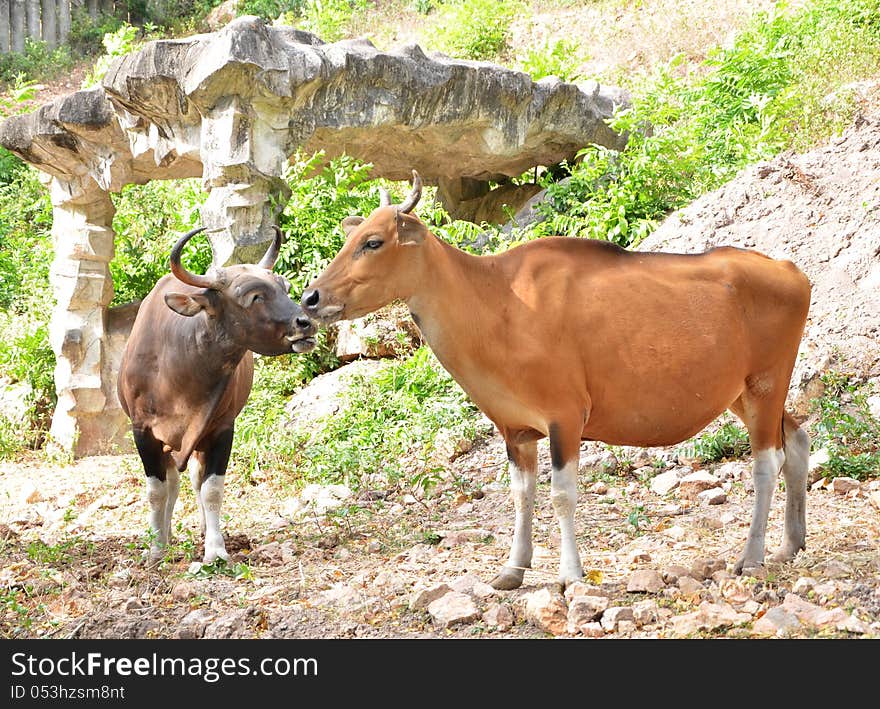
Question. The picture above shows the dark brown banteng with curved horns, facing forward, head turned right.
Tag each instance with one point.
(187, 372)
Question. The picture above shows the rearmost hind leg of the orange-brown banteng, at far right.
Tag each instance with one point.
(794, 471)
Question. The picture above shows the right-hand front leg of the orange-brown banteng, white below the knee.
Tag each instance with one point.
(565, 456)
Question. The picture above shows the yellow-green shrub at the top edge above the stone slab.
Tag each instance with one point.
(474, 29)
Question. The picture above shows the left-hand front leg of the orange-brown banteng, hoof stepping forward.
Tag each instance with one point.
(523, 468)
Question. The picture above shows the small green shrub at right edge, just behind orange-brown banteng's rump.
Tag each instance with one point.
(846, 427)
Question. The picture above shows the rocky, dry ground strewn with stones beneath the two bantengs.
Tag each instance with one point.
(657, 547)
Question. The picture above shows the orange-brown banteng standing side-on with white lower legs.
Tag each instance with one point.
(578, 339)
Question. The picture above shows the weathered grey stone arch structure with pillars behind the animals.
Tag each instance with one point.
(232, 107)
